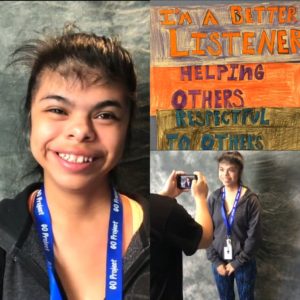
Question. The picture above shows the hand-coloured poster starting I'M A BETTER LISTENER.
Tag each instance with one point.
(226, 76)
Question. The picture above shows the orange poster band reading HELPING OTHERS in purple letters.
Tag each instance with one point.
(279, 87)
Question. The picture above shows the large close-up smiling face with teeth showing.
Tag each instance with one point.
(77, 133)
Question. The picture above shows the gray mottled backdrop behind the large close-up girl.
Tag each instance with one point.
(19, 21)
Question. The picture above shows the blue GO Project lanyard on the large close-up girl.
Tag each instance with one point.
(114, 247)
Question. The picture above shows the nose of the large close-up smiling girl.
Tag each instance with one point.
(81, 131)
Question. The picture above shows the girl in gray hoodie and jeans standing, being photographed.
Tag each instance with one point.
(236, 216)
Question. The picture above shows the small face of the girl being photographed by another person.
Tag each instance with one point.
(229, 174)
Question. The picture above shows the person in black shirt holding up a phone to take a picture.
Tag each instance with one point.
(173, 230)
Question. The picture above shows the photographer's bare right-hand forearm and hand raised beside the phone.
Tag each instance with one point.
(202, 216)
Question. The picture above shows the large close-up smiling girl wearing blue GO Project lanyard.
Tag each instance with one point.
(73, 236)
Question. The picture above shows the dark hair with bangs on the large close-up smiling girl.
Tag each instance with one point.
(86, 57)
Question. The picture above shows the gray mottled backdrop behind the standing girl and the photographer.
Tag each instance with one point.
(275, 177)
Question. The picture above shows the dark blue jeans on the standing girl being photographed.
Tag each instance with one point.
(245, 280)
